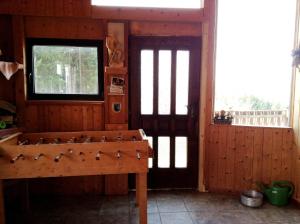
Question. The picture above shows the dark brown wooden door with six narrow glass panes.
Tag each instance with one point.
(164, 101)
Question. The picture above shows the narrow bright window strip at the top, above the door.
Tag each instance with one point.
(188, 4)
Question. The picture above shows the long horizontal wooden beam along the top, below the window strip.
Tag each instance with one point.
(83, 8)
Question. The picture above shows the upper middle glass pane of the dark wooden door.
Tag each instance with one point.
(164, 82)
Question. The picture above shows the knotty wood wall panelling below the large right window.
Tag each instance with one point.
(239, 156)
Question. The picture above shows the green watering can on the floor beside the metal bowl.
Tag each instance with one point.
(278, 193)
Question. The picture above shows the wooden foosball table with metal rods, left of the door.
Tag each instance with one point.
(62, 154)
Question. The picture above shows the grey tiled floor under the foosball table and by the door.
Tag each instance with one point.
(164, 207)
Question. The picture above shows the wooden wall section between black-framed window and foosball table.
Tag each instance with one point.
(64, 117)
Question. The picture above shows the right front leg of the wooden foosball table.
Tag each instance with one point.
(141, 191)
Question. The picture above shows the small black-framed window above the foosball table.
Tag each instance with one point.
(64, 69)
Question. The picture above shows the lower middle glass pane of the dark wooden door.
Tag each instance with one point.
(163, 152)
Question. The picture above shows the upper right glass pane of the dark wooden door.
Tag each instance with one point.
(182, 81)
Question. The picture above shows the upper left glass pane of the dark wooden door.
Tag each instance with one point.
(146, 82)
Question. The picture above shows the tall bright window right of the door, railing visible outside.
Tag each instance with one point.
(253, 60)
